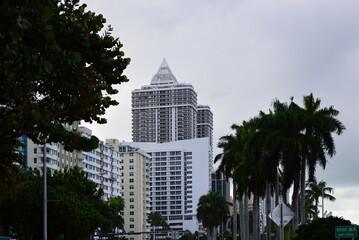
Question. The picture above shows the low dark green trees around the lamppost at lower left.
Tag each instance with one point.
(75, 207)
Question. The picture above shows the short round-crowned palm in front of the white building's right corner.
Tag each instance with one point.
(212, 210)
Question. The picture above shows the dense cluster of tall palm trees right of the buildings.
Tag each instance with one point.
(275, 150)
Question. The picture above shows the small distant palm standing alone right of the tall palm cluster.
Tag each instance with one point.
(315, 191)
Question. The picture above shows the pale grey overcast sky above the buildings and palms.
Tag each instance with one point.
(240, 55)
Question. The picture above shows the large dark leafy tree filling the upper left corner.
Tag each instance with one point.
(58, 64)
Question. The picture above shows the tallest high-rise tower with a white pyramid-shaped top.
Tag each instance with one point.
(165, 110)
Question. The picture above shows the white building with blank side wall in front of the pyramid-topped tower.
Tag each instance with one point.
(179, 176)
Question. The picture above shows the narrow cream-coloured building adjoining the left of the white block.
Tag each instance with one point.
(136, 192)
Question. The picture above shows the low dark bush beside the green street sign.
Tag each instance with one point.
(321, 229)
